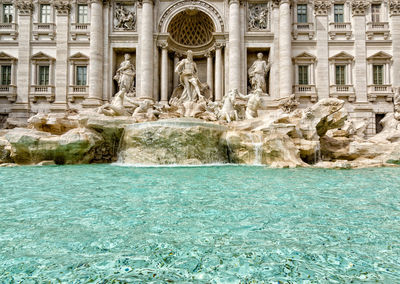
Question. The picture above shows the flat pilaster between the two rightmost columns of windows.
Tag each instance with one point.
(359, 9)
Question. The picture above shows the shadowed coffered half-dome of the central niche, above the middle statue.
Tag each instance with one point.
(191, 29)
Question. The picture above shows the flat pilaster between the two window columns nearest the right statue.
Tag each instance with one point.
(321, 9)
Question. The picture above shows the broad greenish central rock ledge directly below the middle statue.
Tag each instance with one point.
(181, 141)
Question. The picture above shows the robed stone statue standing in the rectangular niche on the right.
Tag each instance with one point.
(258, 73)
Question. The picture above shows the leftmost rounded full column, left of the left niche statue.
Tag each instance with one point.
(96, 55)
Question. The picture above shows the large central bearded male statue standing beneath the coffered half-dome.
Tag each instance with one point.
(187, 70)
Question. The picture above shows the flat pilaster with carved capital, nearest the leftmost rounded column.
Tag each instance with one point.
(61, 78)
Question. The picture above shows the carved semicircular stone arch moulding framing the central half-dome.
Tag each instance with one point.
(183, 5)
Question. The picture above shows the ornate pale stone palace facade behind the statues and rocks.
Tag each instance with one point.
(64, 54)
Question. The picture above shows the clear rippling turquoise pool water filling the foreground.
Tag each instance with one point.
(110, 224)
